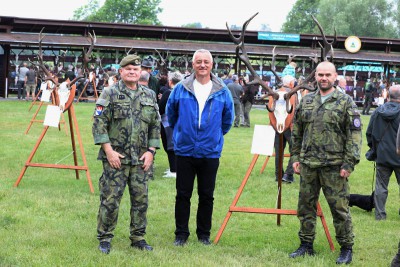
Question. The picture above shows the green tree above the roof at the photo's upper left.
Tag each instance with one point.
(121, 11)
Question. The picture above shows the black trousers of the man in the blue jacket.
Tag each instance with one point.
(206, 171)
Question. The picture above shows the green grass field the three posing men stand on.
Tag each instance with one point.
(50, 218)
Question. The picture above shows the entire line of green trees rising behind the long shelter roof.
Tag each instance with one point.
(366, 18)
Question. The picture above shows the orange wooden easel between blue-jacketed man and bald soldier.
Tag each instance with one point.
(278, 210)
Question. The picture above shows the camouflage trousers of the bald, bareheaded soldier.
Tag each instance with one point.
(336, 190)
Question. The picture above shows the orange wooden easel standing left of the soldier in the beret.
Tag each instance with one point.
(72, 123)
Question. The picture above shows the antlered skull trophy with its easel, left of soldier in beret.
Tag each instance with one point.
(63, 95)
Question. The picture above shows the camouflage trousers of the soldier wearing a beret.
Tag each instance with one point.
(112, 185)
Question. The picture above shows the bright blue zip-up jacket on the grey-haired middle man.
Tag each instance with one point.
(206, 140)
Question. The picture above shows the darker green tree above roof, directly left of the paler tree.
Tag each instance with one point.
(299, 18)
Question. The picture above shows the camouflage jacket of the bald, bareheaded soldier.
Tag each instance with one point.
(327, 134)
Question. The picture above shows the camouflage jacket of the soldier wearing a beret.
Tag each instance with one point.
(127, 119)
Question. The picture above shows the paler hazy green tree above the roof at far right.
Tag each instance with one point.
(372, 18)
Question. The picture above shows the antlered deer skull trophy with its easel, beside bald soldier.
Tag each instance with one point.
(281, 106)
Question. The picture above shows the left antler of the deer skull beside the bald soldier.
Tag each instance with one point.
(245, 59)
